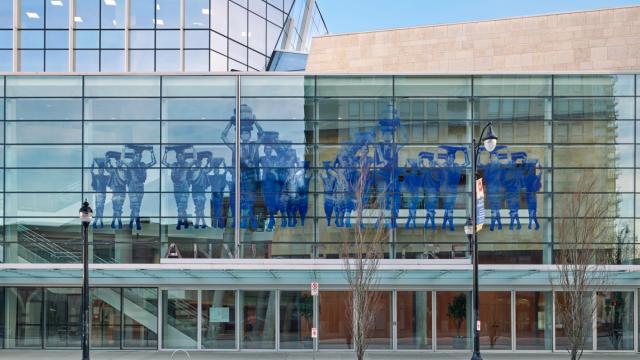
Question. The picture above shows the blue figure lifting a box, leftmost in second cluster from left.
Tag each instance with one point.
(180, 178)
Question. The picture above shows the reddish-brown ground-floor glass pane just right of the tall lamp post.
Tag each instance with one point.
(495, 313)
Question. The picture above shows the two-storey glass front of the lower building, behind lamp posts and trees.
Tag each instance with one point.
(171, 180)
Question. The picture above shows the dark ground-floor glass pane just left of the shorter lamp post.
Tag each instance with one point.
(64, 310)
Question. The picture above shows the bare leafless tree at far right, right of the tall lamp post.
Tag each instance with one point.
(581, 238)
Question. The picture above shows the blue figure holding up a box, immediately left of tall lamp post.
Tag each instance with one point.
(451, 179)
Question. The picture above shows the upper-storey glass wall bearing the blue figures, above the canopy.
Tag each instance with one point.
(160, 160)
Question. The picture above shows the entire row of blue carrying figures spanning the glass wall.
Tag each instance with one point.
(271, 167)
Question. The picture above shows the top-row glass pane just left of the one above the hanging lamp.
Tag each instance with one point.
(432, 86)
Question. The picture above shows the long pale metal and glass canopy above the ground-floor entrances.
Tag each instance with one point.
(274, 273)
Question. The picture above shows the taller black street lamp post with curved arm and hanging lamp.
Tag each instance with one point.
(489, 141)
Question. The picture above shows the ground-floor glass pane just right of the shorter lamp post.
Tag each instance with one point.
(105, 317)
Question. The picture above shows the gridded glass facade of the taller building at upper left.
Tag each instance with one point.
(151, 35)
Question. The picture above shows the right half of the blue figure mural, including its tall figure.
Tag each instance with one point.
(430, 181)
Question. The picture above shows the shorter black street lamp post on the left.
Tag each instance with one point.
(86, 214)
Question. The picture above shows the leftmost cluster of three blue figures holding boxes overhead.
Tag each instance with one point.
(124, 173)
